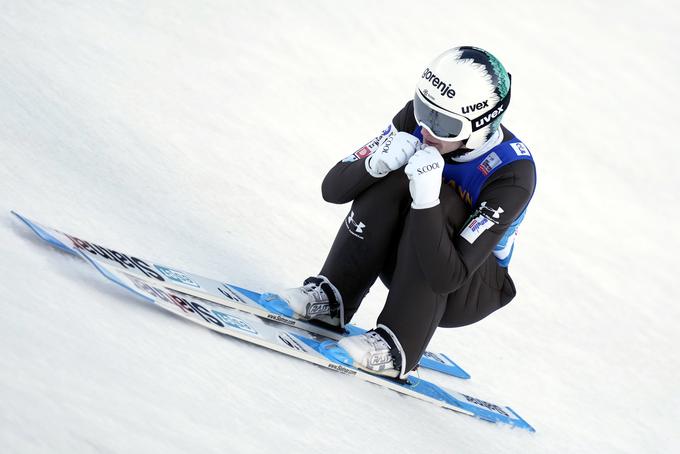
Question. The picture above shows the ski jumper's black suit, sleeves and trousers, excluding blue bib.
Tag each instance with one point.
(435, 278)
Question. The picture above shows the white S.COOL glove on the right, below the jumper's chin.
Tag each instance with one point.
(424, 171)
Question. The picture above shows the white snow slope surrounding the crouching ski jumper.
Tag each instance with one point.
(197, 134)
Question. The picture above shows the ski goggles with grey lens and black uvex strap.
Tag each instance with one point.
(448, 126)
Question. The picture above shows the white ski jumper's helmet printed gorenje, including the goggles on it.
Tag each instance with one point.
(462, 95)
